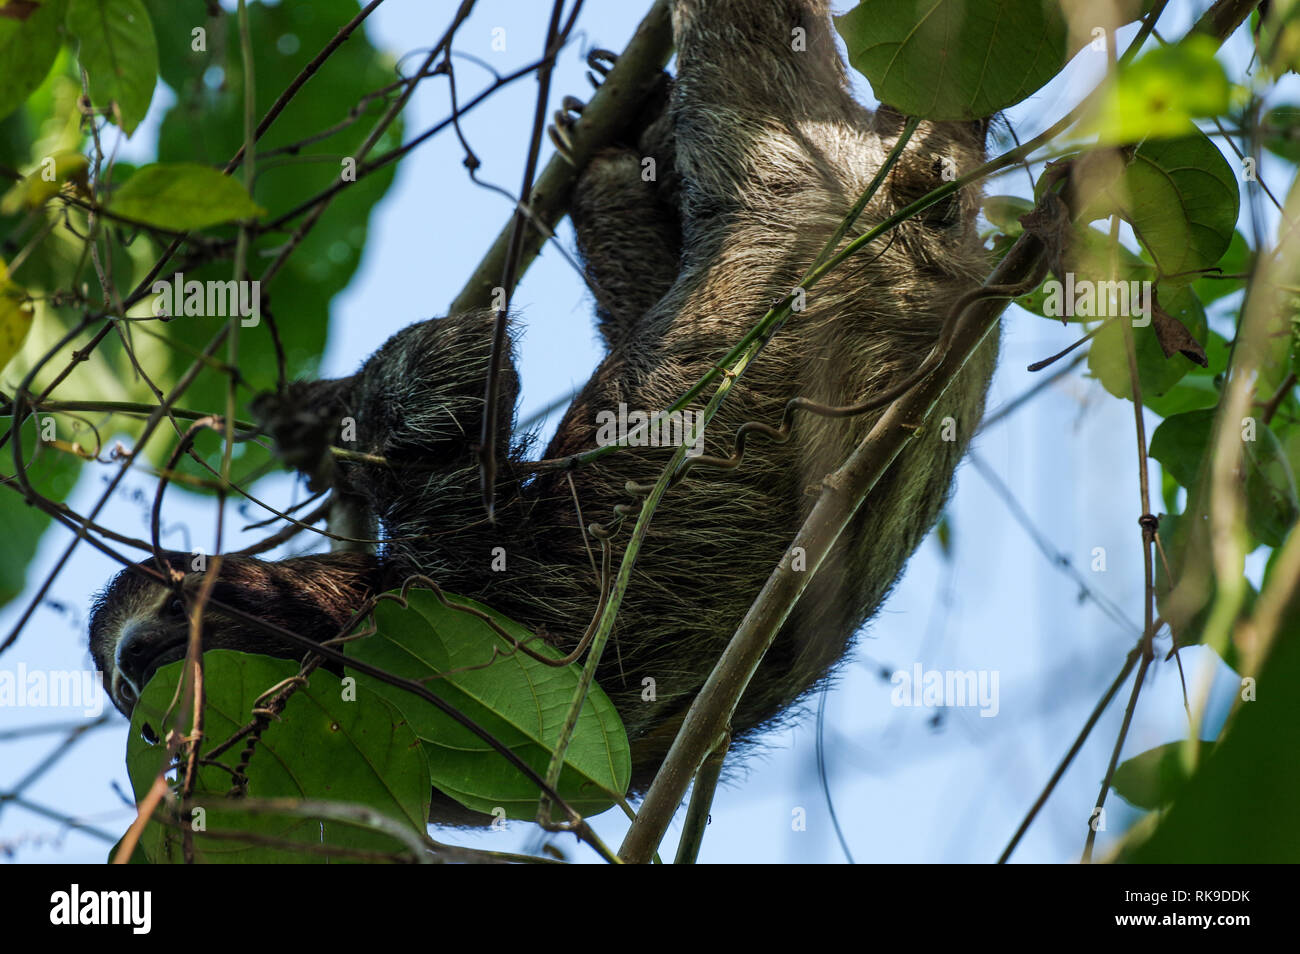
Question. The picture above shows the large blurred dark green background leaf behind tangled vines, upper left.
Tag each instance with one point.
(206, 127)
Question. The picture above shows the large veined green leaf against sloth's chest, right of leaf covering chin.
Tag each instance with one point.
(522, 701)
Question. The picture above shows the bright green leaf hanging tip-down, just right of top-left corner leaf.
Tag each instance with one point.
(118, 50)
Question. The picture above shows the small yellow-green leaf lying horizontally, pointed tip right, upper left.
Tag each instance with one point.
(183, 197)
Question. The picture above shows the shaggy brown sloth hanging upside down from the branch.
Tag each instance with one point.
(761, 153)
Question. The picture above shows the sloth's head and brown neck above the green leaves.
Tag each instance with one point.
(140, 623)
